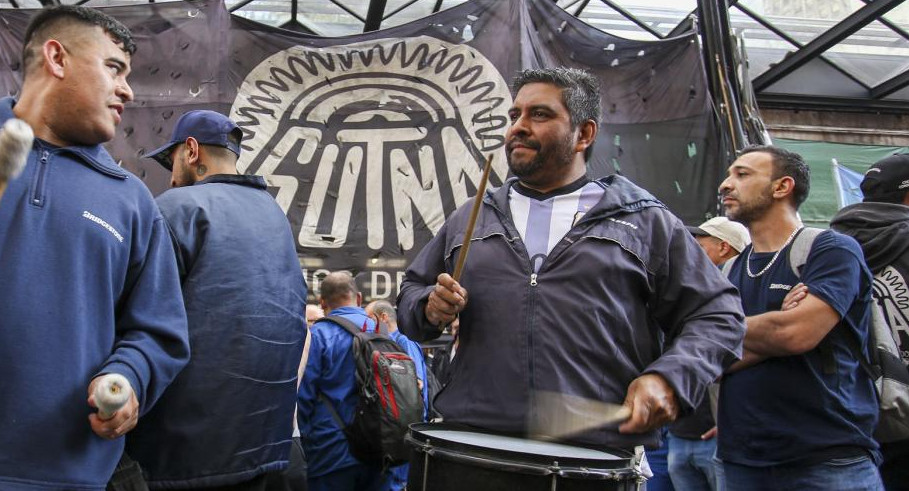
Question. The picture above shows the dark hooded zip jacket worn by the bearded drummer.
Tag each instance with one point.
(627, 291)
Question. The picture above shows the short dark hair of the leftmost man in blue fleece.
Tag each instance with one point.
(45, 24)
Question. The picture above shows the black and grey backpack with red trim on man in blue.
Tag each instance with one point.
(388, 398)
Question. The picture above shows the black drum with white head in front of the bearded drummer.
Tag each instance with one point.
(458, 458)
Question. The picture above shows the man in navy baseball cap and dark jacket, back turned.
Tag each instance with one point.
(227, 419)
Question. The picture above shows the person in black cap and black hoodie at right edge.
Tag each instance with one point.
(880, 224)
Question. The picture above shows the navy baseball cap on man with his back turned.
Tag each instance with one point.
(207, 127)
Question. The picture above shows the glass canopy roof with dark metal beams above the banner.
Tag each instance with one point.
(802, 53)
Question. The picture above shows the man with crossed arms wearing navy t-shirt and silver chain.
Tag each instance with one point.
(798, 410)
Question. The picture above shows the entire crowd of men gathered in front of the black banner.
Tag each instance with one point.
(588, 288)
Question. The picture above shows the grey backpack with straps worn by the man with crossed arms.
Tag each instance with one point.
(885, 366)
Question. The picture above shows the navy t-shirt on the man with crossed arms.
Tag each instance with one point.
(787, 409)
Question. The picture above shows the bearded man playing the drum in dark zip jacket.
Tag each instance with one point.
(590, 290)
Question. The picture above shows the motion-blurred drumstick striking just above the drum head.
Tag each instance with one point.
(558, 415)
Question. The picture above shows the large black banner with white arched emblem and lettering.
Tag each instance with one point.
(368, 142)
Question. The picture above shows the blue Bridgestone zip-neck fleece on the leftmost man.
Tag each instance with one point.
(89, 285)
